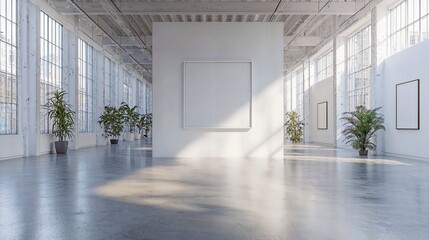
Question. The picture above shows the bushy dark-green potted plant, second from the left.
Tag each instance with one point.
(111, 121)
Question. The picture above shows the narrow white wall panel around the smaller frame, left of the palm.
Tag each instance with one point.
(321, 92)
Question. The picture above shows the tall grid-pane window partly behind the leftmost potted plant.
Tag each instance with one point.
(51, 64)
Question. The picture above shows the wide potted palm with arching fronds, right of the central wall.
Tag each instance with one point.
(360, 127)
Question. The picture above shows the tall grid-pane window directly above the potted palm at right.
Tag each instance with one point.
(359, 68)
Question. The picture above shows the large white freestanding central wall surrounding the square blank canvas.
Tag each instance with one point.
(261, 43)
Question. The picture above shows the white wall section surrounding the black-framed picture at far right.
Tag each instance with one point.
(404, 66)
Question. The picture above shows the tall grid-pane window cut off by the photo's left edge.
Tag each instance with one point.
(8, 80)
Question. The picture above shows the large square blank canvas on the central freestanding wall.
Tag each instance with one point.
(217, 95)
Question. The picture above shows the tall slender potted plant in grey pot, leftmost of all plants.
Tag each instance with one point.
(63, 119)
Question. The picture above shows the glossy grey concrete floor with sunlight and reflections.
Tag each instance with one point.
(121, 192)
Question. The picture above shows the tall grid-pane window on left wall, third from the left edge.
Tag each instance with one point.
(85, 83)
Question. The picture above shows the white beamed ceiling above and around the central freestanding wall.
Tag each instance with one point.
(127, 25)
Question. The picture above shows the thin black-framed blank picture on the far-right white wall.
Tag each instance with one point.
(408, 105)
